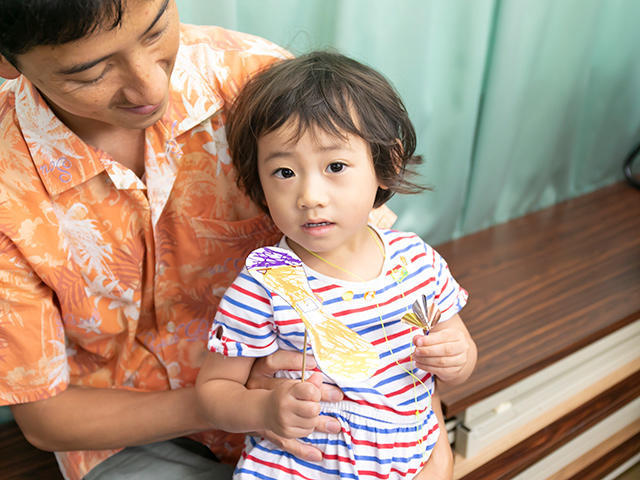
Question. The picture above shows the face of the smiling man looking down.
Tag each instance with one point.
(111, 78)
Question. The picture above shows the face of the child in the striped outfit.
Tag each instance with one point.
(320, 189)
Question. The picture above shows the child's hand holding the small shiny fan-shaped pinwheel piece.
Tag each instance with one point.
(447, 352)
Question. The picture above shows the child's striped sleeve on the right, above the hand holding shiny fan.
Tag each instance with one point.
(449, 296)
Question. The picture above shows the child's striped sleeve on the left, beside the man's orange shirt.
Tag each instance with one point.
(243, 325)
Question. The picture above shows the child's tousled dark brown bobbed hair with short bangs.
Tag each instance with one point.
(336, 94)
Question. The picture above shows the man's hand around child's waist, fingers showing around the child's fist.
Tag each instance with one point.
(262, 376)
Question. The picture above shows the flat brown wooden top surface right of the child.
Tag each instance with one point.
(545, 285)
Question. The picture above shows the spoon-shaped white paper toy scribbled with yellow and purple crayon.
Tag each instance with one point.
(340, 352)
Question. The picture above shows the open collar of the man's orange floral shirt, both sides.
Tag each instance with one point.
(63, 160)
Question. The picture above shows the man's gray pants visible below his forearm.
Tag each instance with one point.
(180, 458)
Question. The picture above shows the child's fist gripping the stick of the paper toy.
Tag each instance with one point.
(293, 407)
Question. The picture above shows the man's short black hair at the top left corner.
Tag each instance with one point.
(25, 24)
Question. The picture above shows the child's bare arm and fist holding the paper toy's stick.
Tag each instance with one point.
(290, 410)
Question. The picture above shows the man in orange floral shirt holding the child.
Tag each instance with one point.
(120, 227)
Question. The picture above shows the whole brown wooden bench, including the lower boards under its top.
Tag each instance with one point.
(543, 287)
